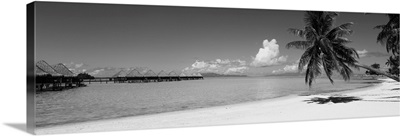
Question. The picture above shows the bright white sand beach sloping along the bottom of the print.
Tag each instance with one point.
(379, 100)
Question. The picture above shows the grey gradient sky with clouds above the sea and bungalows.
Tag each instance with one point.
(219, 40)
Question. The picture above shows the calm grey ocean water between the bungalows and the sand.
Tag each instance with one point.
(106, 101)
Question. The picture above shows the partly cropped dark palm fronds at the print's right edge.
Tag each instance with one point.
(389, 35)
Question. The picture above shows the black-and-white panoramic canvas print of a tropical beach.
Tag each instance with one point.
(101, 67)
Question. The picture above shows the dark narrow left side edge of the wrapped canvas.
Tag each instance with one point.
(30, 64)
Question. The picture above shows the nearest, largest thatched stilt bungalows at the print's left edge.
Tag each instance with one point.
(56, 77)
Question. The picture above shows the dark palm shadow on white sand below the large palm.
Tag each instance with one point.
(333, 99)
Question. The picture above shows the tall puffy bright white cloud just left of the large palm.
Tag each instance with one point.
(268, 55)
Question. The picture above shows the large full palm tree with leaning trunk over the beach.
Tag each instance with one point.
(325, 47)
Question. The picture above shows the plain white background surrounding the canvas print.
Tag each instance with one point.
(13, 75)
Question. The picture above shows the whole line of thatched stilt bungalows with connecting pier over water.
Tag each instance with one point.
(59, 77)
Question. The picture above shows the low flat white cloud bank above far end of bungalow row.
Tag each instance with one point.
(218, 66)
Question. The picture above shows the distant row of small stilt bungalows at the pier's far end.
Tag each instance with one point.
(134, 76)
